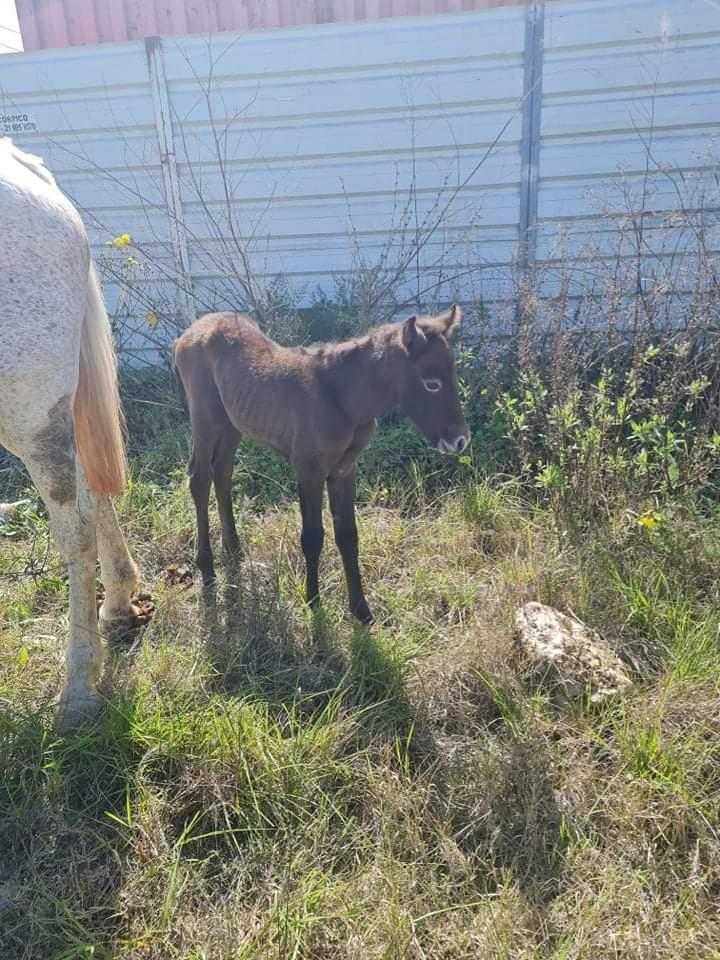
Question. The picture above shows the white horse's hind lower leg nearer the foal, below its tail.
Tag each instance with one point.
(118, 569)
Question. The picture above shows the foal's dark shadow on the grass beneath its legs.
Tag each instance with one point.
(258, 649)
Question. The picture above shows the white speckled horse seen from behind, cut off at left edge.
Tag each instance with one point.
(59, 405)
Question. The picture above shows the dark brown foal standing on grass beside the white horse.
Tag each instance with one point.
(317, 407)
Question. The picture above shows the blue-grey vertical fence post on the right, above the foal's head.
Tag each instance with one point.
(531, 130)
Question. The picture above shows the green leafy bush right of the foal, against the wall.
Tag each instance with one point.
(638, 423)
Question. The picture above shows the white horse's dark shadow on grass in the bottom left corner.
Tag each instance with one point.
(60, 878)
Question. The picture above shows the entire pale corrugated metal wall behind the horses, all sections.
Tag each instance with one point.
(339, 142)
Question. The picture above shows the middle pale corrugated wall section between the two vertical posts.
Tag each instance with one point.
(328, 135)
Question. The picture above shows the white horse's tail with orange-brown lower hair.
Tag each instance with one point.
(97, 413)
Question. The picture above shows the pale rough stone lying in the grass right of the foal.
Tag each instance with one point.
(569, 654)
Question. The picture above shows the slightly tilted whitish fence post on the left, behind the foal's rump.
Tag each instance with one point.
(171, 184)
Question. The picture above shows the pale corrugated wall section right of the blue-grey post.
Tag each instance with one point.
(630, 122)
